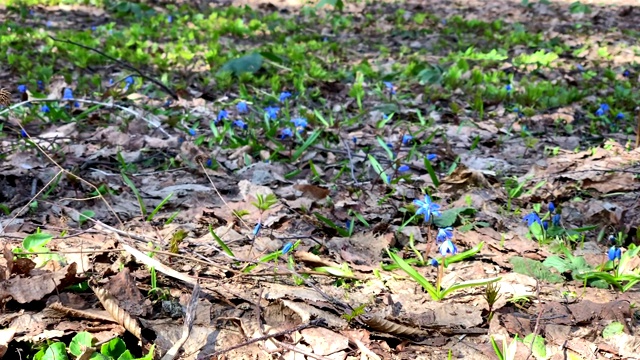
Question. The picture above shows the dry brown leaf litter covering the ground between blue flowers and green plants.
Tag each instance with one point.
(344, 226)
